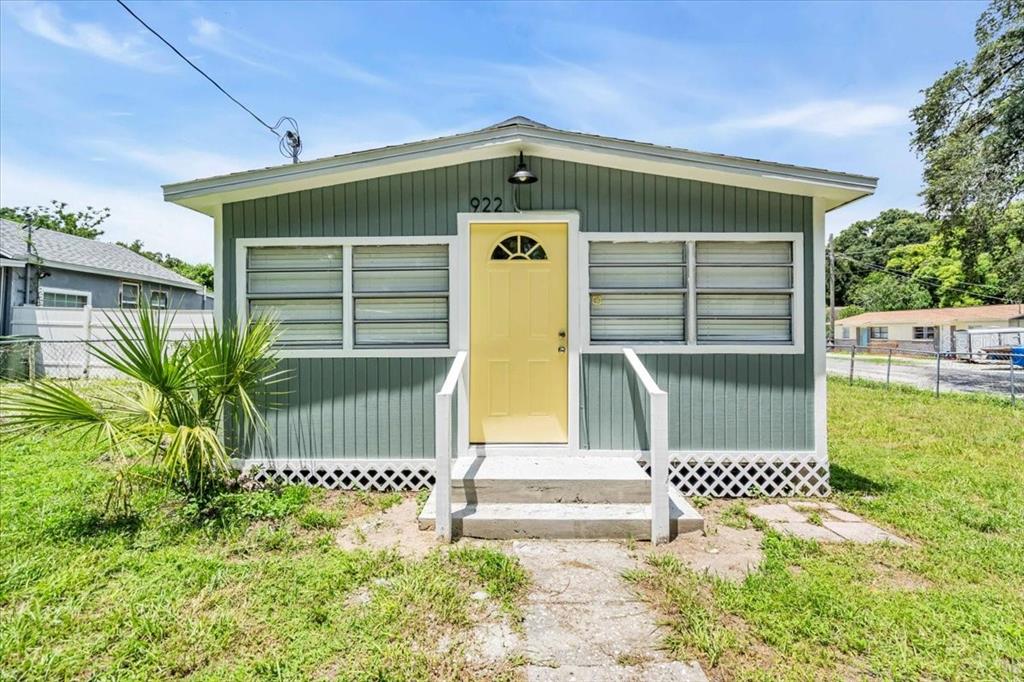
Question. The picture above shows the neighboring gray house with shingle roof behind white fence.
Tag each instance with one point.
(63, 271)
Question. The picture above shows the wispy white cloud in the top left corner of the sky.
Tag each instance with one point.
(46, 21)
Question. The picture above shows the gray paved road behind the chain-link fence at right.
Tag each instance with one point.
(963, 377)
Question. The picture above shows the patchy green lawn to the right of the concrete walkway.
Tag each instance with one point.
(948, 474)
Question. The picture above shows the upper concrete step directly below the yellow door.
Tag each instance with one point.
(549, 480)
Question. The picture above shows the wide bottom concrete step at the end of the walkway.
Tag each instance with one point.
(562, 521)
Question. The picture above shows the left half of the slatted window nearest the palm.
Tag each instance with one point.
(301, 287)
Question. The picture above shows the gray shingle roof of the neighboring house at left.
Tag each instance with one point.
(58, 249)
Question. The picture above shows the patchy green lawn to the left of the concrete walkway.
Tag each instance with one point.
(252, 588)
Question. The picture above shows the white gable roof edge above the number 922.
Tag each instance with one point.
(837, 189)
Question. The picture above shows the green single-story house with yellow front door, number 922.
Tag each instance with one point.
(544, 258)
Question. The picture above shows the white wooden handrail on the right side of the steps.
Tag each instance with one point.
(658, 425)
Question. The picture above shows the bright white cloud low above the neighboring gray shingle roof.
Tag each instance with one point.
(137, 212)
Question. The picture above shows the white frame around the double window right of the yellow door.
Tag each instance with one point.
(692, 348)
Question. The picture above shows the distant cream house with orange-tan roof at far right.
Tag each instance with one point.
(929, 329)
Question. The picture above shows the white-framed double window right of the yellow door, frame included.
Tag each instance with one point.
(695, 293)
